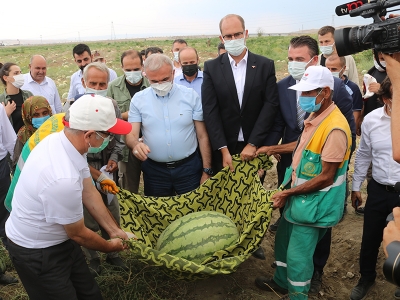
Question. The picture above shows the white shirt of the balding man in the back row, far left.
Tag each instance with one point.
(47, 88)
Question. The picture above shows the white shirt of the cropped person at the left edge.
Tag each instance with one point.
(7, 135)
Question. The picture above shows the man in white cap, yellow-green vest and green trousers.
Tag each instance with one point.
(317, 181)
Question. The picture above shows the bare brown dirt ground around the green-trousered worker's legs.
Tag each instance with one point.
(341, 273)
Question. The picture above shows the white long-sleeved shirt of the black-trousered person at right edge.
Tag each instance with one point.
(376, 147)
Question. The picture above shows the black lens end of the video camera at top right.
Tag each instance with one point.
(349, 40)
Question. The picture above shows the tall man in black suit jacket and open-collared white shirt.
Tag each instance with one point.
(239, 96)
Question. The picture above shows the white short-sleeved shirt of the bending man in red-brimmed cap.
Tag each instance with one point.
(48, 194)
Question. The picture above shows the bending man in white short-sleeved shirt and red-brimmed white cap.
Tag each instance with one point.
(46, 227)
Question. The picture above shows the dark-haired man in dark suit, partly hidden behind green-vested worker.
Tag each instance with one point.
(286, 127)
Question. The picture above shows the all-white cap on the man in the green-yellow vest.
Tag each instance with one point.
(314, 77)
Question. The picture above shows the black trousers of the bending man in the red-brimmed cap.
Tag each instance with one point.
(59, 272)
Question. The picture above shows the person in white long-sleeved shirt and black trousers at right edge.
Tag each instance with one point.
(376, 147)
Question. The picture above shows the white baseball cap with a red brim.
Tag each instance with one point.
(94, 112)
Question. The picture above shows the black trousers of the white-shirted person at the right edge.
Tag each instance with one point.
(379, 204)
